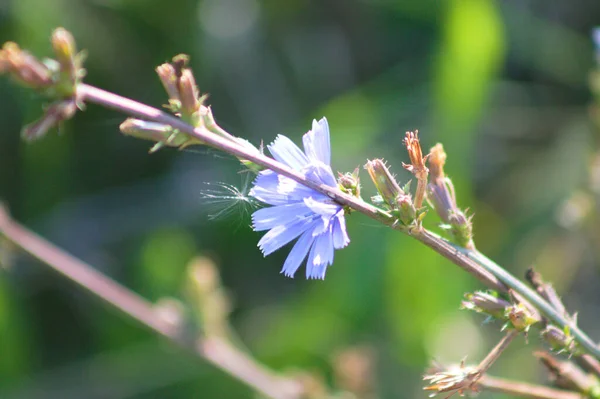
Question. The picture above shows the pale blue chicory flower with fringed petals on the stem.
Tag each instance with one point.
(298, 211)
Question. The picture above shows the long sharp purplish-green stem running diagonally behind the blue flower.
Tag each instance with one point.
(481, 267)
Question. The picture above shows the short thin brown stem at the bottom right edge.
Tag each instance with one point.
(524, 390)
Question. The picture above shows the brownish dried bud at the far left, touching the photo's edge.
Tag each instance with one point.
(24, 67)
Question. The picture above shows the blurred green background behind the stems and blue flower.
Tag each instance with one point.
(502, 84)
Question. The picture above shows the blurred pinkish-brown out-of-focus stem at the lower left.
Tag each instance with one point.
(217, 351)
